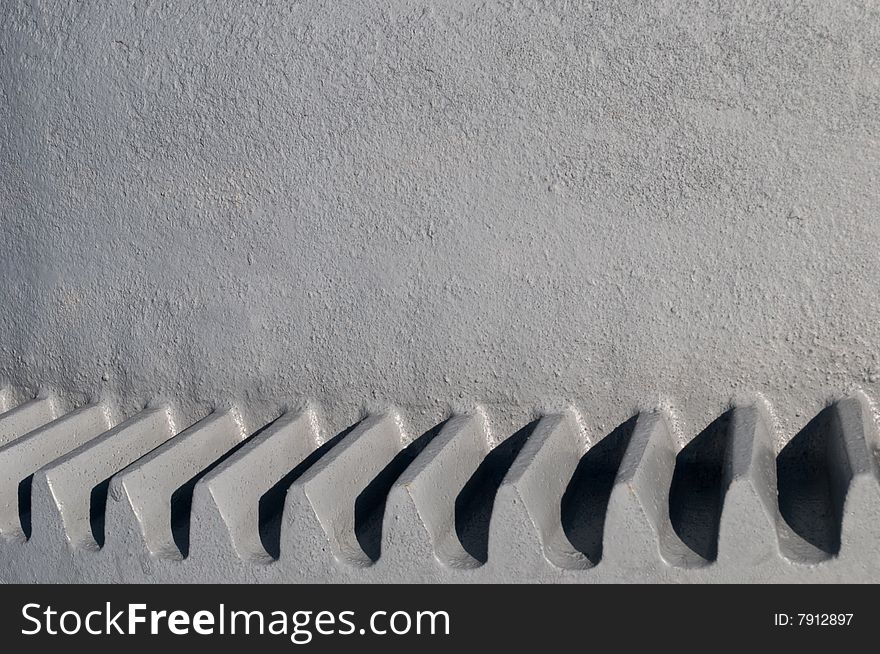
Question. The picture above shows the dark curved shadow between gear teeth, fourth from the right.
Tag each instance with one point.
(473, 506)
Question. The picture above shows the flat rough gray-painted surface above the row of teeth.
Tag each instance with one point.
(437, 205)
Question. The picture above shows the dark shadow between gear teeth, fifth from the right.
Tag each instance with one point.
(369, 507)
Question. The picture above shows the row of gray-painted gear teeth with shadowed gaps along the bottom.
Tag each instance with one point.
(91, 496)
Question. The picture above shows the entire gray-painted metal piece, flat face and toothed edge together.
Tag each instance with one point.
(402, 214)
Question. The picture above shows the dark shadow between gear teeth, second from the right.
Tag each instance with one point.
(697, 492)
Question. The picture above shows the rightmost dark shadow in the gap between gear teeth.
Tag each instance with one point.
(812, 480)
